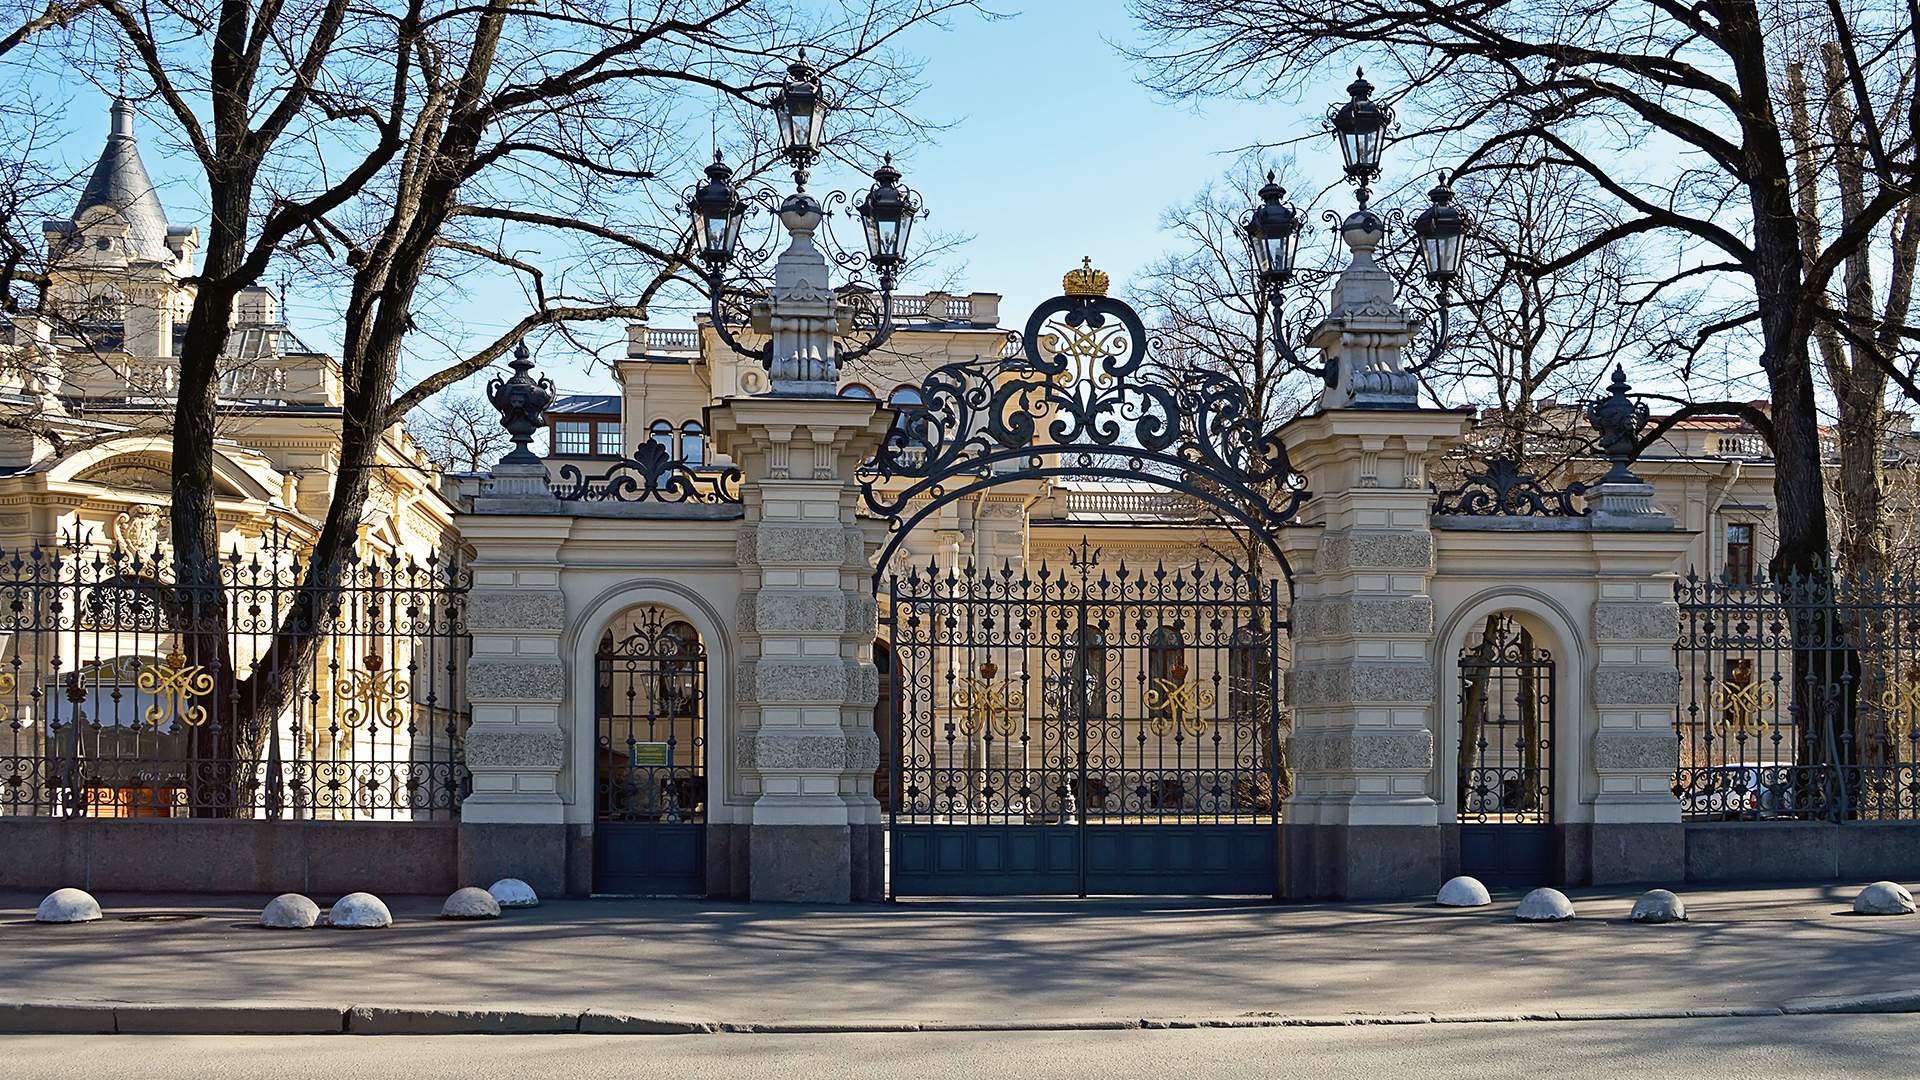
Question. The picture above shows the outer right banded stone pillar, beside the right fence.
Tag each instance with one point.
(1637, 833)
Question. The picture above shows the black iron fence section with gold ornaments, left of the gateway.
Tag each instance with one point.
(135, 685)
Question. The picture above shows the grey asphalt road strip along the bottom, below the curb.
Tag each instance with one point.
(1804, 1048)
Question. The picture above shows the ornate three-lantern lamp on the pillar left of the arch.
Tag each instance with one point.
(802, 314)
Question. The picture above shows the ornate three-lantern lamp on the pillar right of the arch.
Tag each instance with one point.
(1364, 291)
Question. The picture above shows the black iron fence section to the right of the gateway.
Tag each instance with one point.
(1800, 699)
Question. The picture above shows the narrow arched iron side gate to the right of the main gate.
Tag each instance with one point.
(1506, 758)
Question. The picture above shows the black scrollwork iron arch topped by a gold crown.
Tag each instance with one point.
(1084, 397)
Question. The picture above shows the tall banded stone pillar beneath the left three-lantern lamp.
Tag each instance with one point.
(805, 741)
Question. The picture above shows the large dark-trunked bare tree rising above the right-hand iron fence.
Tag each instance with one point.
(1673, 110)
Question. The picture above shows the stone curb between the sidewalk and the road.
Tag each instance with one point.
(105, 1019)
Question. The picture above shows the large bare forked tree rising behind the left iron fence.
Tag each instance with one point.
(412, 149)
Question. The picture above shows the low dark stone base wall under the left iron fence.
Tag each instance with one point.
(320, 858)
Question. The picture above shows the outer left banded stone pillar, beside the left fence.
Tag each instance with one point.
(514, 822)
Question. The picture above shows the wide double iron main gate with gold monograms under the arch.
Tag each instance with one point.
(1090, 729)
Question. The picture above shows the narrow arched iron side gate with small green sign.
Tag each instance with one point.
(650, 702)
